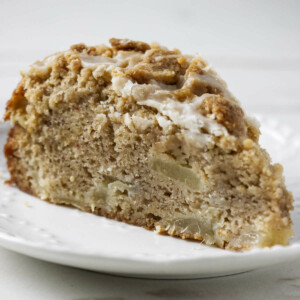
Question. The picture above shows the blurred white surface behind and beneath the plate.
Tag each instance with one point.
(255, 46)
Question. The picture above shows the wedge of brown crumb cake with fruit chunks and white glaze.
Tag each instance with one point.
(148, 136)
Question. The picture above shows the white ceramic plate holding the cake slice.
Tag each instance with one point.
(74, 238)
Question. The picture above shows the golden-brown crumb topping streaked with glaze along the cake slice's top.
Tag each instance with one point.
(156, 77)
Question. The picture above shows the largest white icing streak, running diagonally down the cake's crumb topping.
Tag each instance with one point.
(184, 114)
